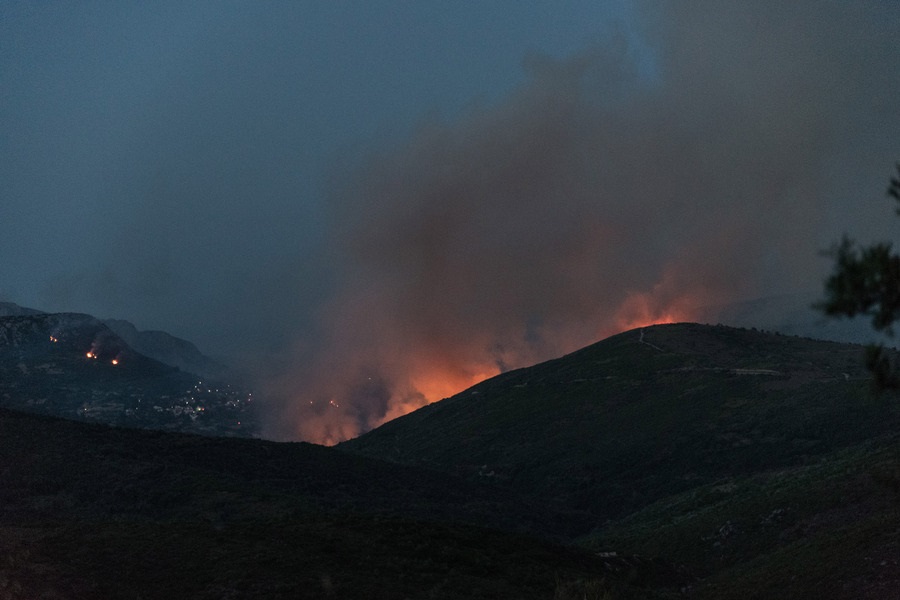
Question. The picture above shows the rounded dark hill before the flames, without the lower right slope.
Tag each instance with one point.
(624, 422)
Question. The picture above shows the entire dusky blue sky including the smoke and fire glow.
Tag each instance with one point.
(387, 201)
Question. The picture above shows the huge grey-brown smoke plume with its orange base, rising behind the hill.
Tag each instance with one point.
(603, 194)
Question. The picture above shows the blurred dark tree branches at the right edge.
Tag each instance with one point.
(866, 281)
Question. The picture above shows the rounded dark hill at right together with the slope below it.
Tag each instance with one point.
(725, 448)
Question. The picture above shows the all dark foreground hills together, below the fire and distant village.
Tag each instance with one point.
(680, 461)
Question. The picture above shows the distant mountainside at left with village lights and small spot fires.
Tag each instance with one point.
(76, 366)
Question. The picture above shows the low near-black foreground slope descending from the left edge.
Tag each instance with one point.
(90, 511)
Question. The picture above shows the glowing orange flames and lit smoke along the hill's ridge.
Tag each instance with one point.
(441, 362)
